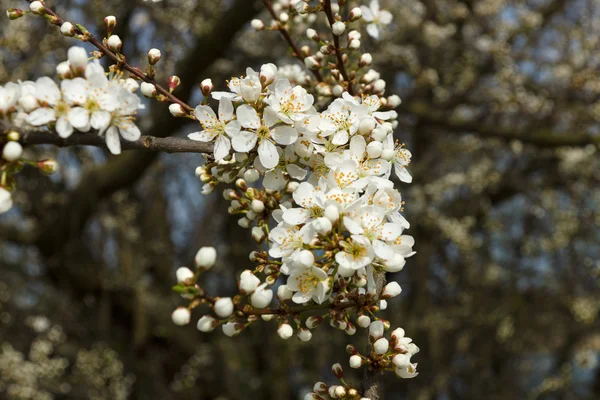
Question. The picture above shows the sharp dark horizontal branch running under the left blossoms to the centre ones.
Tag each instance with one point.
(149, 143)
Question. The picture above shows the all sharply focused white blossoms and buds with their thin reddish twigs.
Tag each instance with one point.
(308, 160)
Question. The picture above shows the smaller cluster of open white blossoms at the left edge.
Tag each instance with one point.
(85, 99)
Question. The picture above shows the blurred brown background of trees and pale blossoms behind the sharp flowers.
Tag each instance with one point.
(501, 110)
